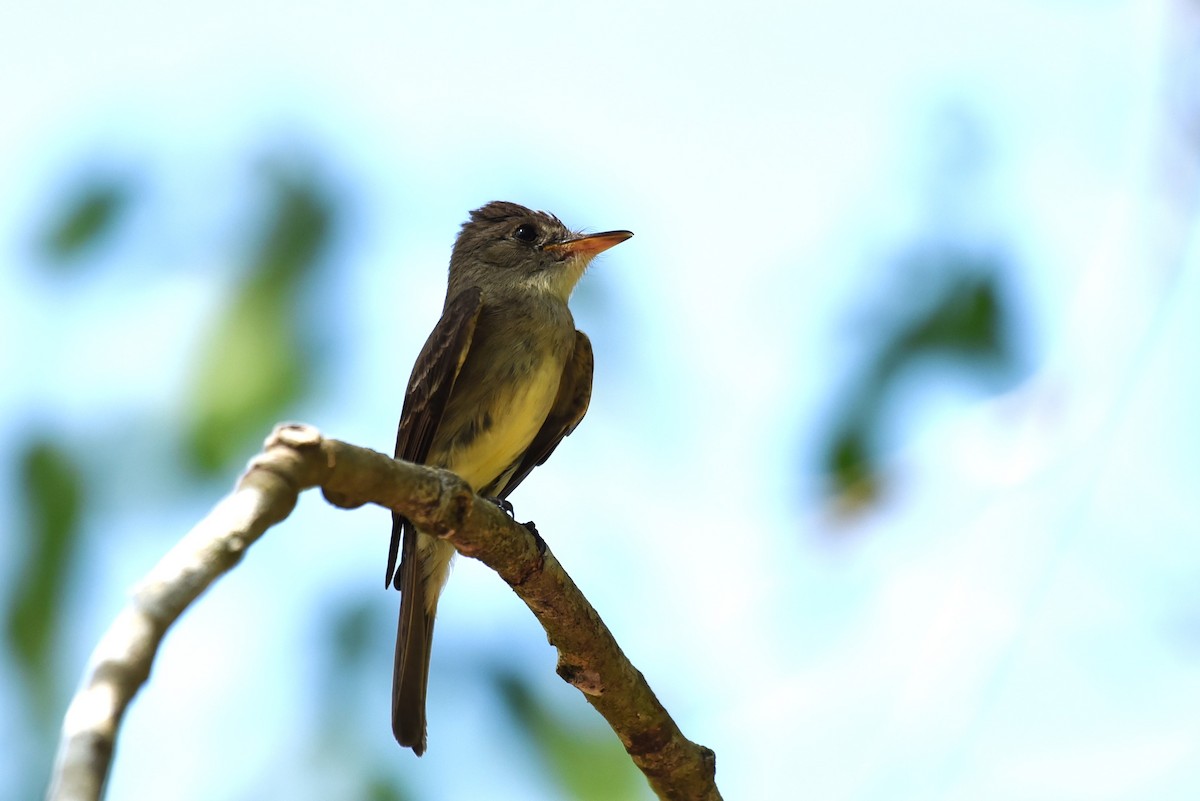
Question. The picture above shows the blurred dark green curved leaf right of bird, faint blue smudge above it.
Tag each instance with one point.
(950, 309)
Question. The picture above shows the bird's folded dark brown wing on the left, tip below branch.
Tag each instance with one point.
(429, 392)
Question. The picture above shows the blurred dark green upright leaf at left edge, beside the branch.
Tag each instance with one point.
(53, 497)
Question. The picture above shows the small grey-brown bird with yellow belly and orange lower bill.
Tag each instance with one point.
(502, 380)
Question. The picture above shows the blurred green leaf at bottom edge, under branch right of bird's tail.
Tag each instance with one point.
(587, 761)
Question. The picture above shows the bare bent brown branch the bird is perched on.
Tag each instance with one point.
(296, 459)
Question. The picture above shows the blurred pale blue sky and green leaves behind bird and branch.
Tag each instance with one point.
(890, 479)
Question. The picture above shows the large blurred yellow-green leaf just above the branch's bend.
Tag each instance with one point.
(254, 366)
